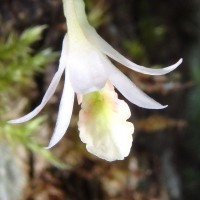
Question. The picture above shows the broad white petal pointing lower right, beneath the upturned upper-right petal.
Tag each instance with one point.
(131, 92)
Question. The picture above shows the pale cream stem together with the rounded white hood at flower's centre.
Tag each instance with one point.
(86, 63)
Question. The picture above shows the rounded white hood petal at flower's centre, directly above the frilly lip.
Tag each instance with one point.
(87, 69)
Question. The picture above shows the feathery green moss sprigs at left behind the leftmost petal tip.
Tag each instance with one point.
(18, 65)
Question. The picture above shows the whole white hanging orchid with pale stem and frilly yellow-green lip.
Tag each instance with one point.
(91, 75)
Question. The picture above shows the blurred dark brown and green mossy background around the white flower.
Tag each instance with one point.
(164, 163)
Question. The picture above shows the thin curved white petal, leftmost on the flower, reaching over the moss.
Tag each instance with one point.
(51, 89)
